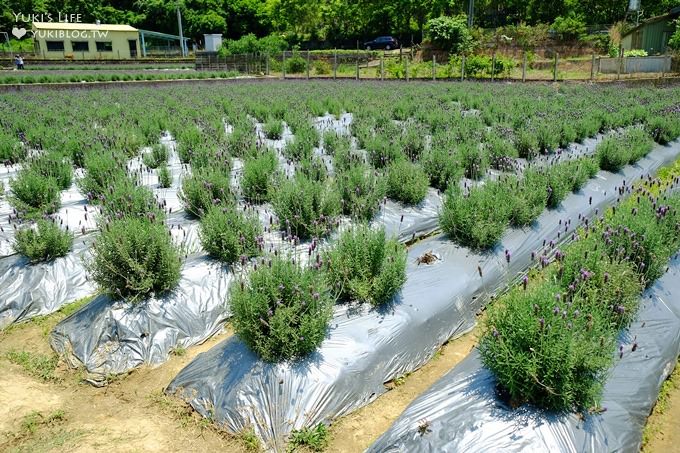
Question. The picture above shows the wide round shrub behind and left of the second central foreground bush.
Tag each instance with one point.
(306, 208)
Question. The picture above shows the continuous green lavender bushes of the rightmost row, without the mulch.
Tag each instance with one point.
(551, 342)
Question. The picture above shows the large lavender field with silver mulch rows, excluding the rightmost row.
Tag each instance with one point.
(246, 203)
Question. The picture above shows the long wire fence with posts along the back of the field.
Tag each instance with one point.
(396, 65)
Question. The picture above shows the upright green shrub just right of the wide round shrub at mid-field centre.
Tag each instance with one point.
(361, 191)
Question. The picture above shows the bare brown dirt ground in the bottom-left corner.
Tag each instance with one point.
(63, 414)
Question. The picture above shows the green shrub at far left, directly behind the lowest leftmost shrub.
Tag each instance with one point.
(33, 194)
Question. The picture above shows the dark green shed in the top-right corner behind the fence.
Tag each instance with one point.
(653, 34)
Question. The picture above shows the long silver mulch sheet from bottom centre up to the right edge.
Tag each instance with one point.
(366, 348)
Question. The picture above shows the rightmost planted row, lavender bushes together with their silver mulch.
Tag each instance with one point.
(602, 408)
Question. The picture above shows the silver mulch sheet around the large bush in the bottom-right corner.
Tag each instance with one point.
(462, 411)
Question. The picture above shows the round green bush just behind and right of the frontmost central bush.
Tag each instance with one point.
(365, 266)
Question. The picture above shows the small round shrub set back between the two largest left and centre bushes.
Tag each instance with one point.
(228, 234)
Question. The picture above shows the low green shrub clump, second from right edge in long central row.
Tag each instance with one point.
(621, 149)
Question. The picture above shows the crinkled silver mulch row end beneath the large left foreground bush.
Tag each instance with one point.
(110, 337)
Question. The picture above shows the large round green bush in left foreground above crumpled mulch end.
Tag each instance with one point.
(133, 258)
